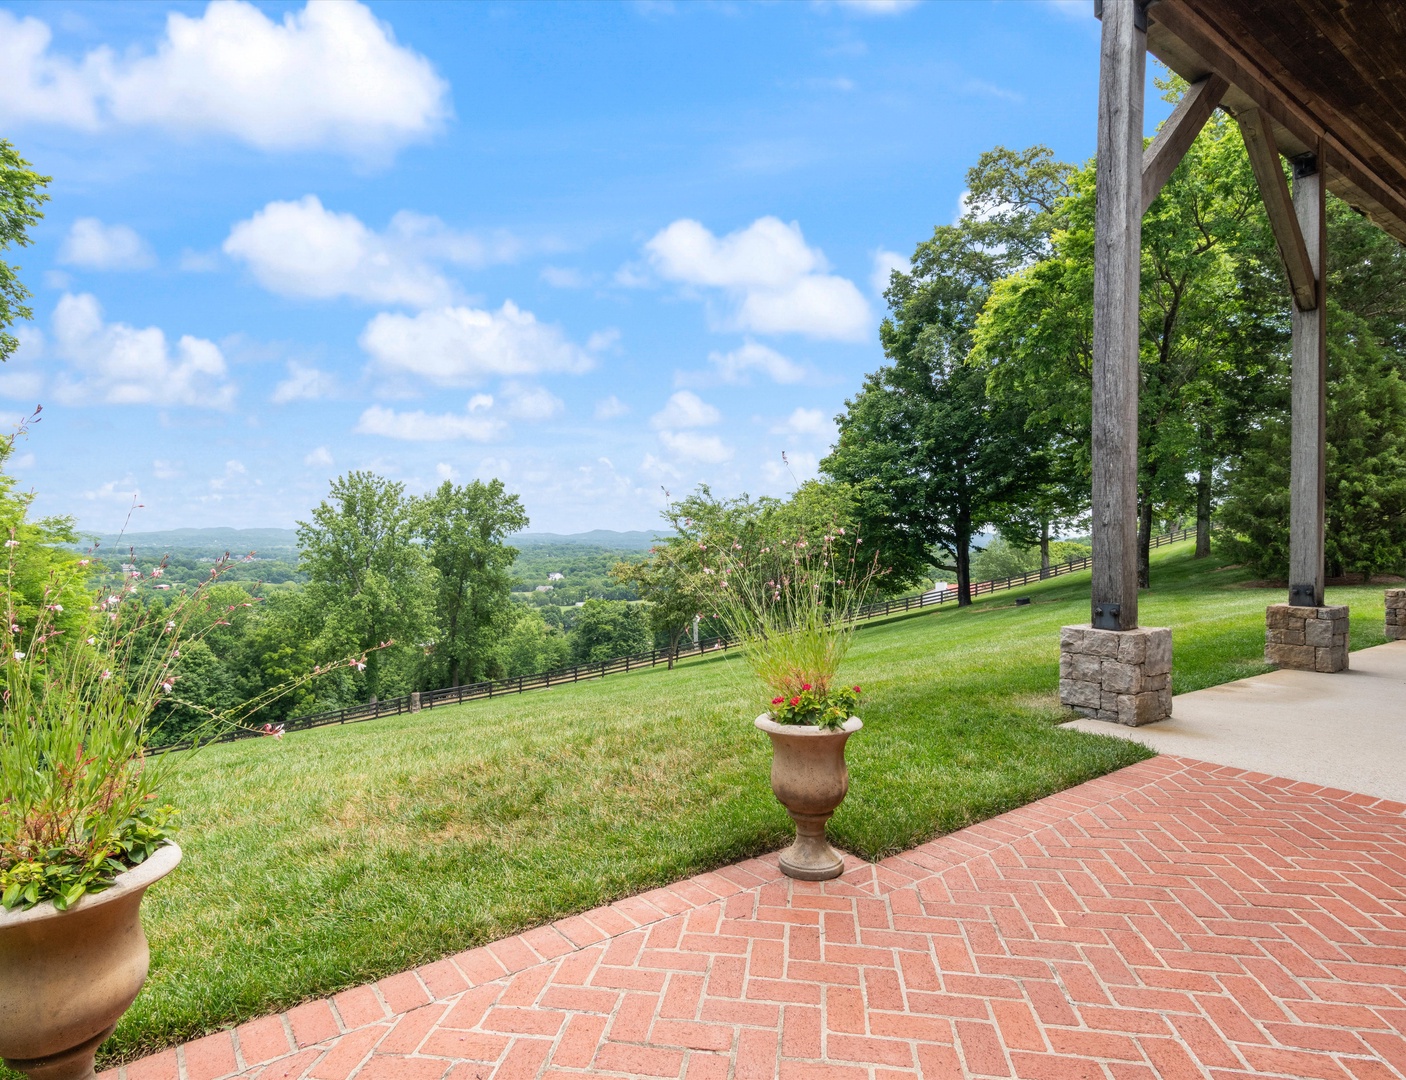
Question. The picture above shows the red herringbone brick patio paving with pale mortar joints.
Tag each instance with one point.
(1172, 920)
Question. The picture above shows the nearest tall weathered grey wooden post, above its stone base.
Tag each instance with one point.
(1117, 279)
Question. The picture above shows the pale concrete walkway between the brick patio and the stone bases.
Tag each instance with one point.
(1346, 731)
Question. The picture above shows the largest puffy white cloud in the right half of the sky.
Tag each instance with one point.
(775, 283)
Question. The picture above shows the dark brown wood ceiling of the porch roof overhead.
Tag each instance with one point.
(1327, 74)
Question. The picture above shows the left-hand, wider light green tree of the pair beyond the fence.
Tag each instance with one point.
(368, 576)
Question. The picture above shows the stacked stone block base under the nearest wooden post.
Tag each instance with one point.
(1118, 676)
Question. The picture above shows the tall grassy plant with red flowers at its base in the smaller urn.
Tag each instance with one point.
(792, 604)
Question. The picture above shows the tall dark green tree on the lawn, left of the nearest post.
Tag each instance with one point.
(931, 456)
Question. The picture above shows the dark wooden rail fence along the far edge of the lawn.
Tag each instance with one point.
(584, 673)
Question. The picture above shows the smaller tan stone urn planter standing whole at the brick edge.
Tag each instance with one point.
(811, 780)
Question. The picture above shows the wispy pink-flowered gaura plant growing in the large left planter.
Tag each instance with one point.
(84, 674)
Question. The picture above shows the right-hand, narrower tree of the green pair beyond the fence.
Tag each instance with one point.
(466, 531)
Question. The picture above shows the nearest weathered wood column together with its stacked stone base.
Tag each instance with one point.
(1116, 670)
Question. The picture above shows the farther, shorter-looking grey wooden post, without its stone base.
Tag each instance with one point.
(1310, 401)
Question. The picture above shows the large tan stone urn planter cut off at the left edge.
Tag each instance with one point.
(68, 977)
